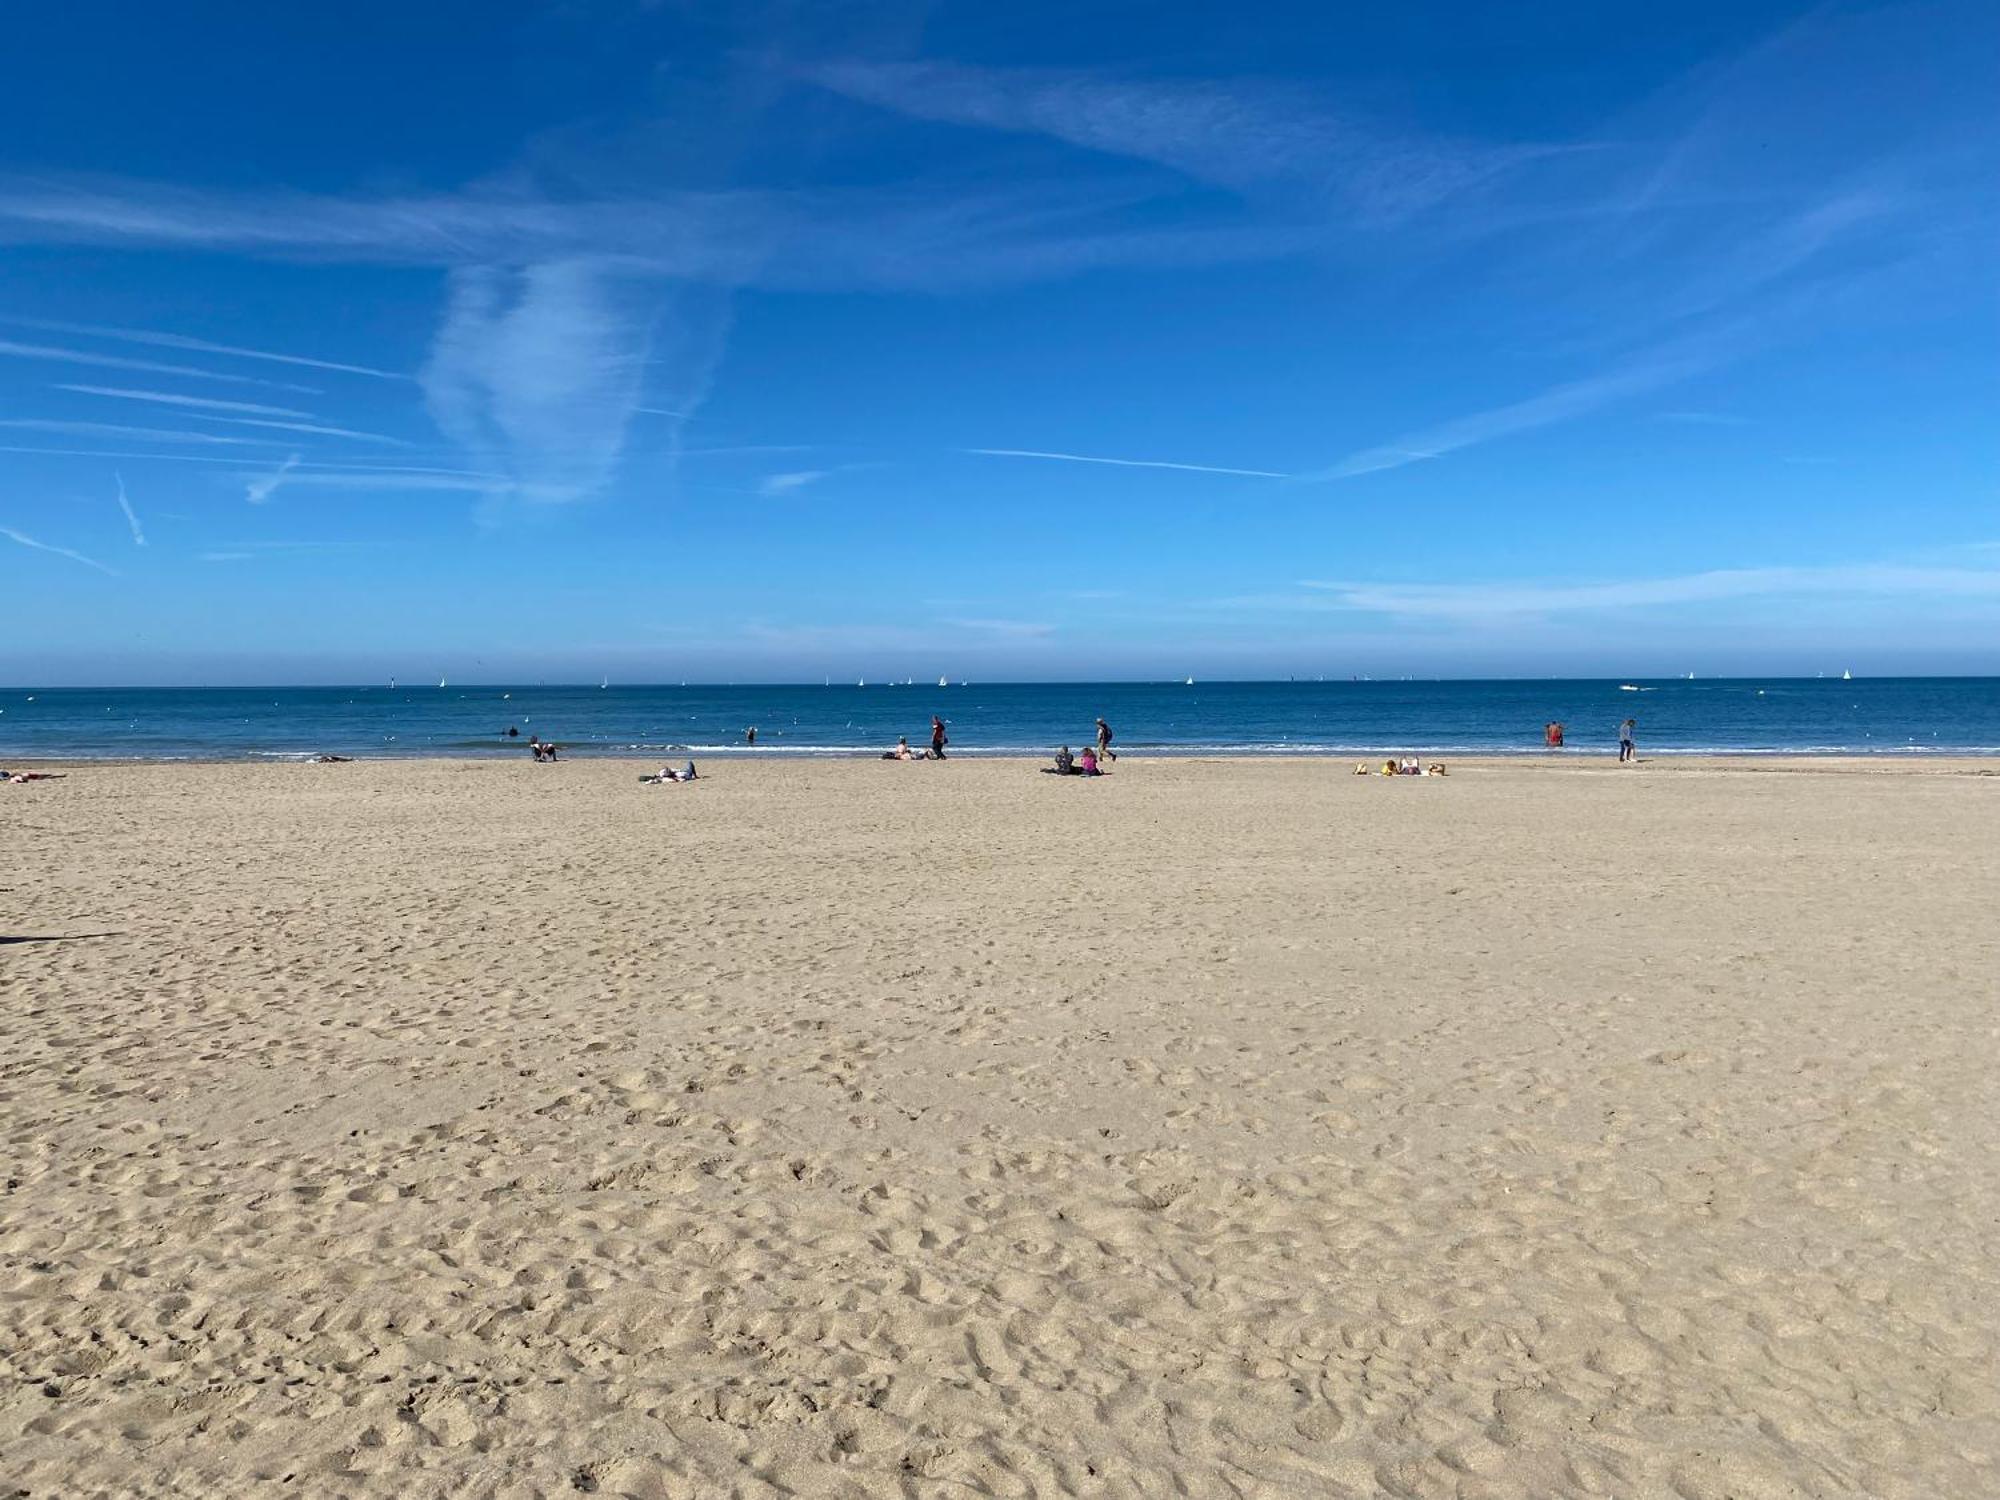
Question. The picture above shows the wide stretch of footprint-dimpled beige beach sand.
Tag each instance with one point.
(1217, 1129)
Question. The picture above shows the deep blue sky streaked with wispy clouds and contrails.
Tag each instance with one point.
(765, 343)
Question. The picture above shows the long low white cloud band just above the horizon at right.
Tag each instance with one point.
(1491, 601)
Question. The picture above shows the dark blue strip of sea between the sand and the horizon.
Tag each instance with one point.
(1675, 717)
